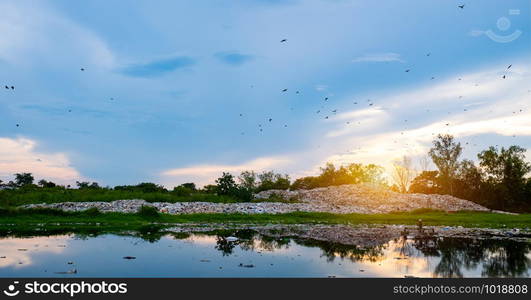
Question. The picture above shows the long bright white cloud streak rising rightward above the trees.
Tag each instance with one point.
(492, 107)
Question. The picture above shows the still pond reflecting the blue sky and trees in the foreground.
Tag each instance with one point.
(249, 254)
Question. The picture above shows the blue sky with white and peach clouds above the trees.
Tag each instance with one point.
(180, 91)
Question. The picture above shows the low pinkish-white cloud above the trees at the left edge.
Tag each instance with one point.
(19, 155)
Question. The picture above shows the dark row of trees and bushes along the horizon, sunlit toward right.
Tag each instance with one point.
(498, 181)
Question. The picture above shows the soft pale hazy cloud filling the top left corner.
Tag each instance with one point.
(33, 33)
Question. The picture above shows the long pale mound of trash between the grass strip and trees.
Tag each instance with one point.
(344, 199)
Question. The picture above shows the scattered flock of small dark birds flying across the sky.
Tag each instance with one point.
(321, 110)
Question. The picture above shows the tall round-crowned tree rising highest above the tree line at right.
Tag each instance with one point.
(445, 155)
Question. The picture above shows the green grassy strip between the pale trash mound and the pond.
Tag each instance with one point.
(12, 219)
